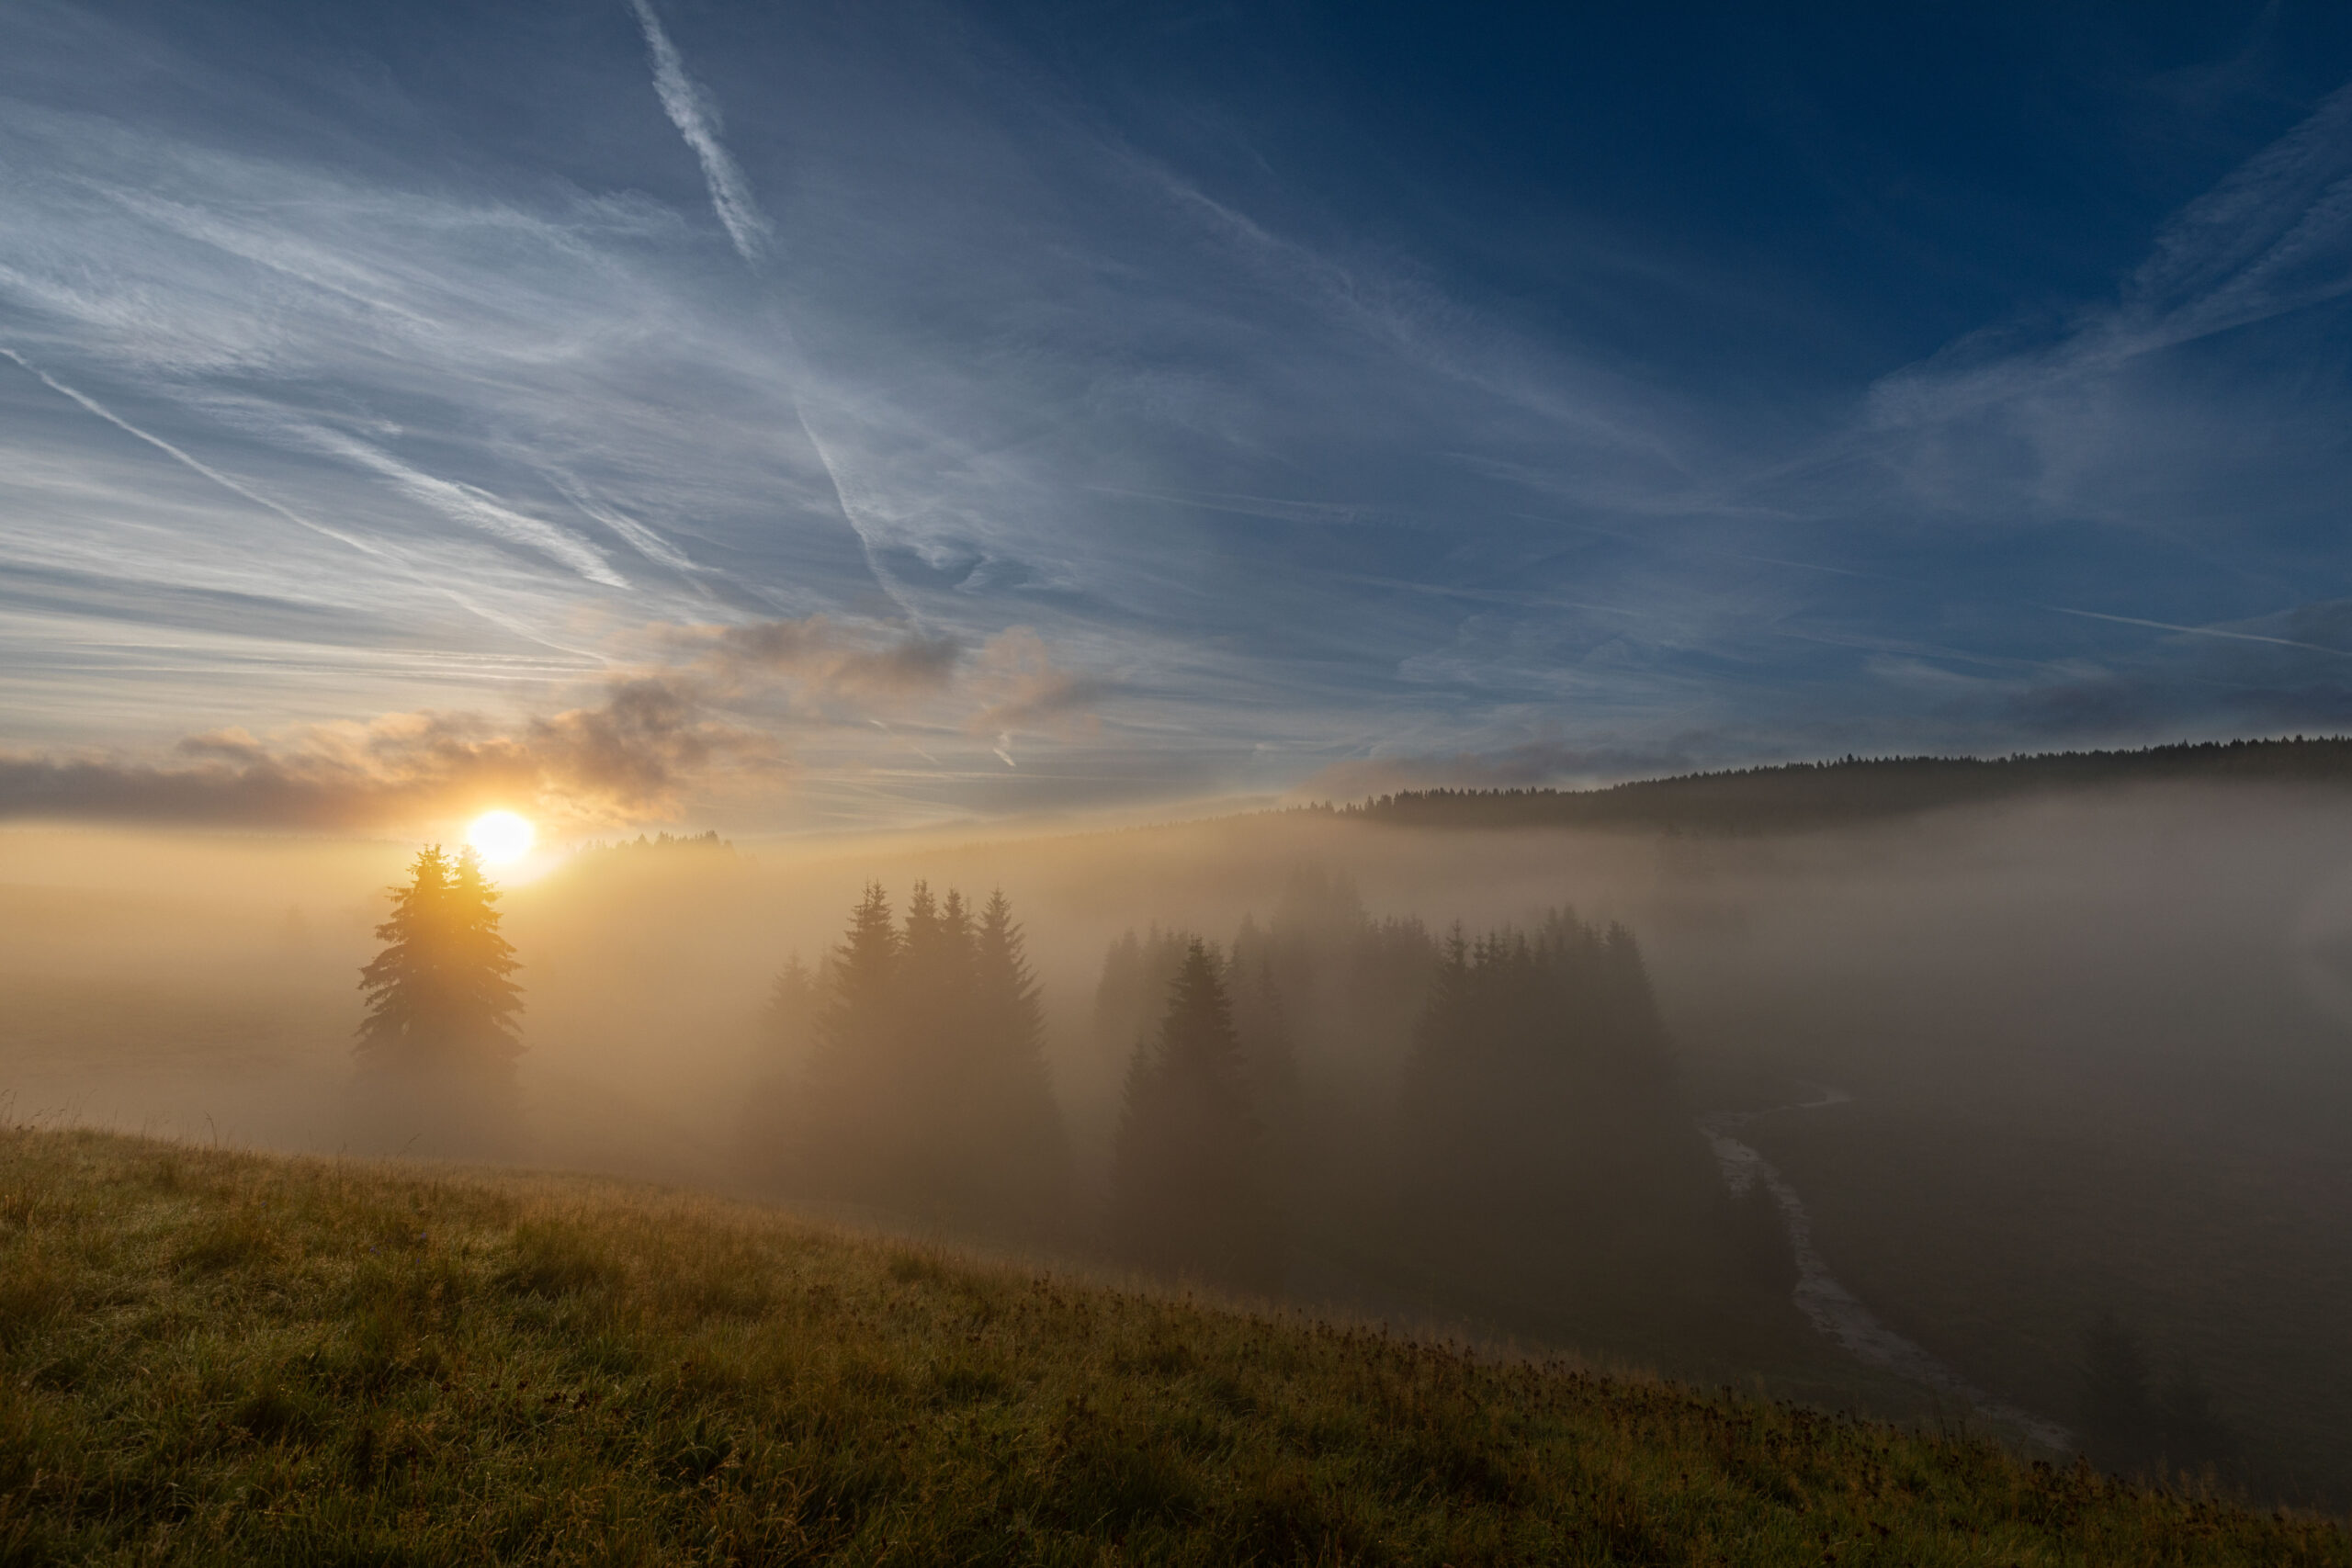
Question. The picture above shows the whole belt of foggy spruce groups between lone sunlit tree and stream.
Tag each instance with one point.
(1466, 1118)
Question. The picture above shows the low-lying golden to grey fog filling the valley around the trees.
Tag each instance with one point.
(2094, 1054)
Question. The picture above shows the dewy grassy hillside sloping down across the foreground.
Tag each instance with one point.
(243, 1360)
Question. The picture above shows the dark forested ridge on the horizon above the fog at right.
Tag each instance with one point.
(1857, 789)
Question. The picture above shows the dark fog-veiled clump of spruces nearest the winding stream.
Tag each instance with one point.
(1549, 1153)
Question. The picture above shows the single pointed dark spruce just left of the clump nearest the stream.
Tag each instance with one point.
(1189, 1172)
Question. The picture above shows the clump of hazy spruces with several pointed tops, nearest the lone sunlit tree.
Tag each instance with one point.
(916, 1071)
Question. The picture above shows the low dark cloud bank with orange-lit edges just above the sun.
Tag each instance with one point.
(650, 744)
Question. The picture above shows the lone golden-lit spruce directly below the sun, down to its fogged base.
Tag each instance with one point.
(439, 1043)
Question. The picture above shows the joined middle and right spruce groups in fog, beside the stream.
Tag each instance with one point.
(1495, 1120)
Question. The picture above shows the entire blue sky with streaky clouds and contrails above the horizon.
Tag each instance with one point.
(822, 417)
